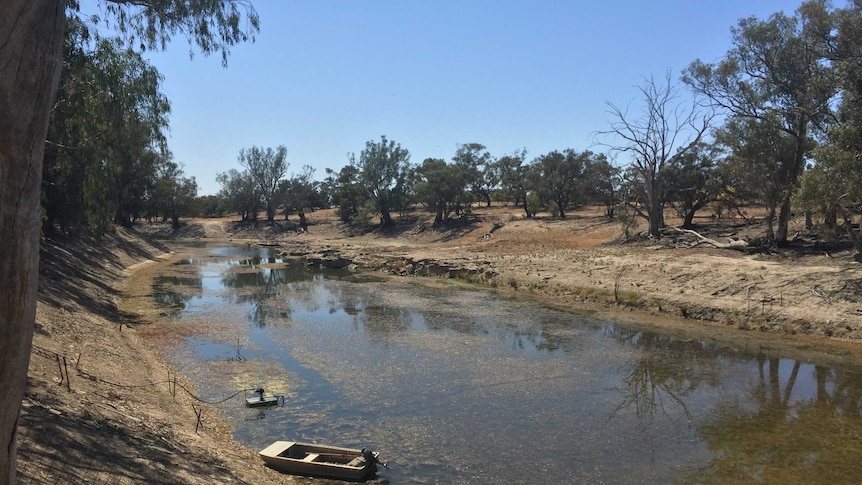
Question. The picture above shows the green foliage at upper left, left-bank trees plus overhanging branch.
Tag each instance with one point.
(106, 156)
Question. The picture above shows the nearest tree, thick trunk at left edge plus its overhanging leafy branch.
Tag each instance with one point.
(30, 65)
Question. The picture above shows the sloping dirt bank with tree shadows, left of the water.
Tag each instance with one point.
(99, 407)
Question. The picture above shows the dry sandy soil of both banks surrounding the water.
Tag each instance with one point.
(99, 408)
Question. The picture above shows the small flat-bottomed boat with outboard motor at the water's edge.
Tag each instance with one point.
(320, 460)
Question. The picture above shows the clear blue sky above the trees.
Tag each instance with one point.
(324, 77)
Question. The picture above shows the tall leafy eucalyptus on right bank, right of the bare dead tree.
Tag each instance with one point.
(776, 73)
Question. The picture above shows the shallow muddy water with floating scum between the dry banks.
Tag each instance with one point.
(457, 385)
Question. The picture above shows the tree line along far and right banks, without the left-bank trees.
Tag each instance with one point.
(775, 123)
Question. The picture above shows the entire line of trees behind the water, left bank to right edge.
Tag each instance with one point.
(775, 123)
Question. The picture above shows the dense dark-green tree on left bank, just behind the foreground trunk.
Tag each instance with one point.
(105, 138)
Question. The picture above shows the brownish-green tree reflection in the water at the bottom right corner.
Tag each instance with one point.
(774, 438)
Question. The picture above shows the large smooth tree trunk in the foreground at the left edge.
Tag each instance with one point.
(31, 51)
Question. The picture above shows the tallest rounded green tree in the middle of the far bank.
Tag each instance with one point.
(382, 167)
